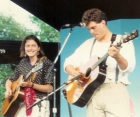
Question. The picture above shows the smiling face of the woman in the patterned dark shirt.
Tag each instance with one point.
(31, 48)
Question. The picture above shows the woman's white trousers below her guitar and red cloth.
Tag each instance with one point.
(45, 110)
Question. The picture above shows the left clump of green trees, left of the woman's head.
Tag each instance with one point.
(11, 30)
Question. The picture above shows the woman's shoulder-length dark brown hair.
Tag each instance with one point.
(31, 37)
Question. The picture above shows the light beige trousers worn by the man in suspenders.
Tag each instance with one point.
(109, 100)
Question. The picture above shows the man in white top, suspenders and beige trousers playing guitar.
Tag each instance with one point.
(110, 99)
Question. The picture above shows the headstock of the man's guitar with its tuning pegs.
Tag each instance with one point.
(130, 36)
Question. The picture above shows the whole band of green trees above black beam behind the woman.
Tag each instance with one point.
(12, 30)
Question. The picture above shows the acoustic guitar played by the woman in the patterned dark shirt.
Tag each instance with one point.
(11, 105)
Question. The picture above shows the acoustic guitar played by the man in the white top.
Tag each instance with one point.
(80, 91)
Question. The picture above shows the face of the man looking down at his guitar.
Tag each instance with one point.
(97, 29)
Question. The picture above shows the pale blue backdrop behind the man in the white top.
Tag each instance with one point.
(78, 36)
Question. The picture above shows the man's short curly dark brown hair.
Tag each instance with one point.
(95, 15)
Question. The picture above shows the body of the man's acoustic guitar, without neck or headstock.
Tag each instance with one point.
(80, 91)
